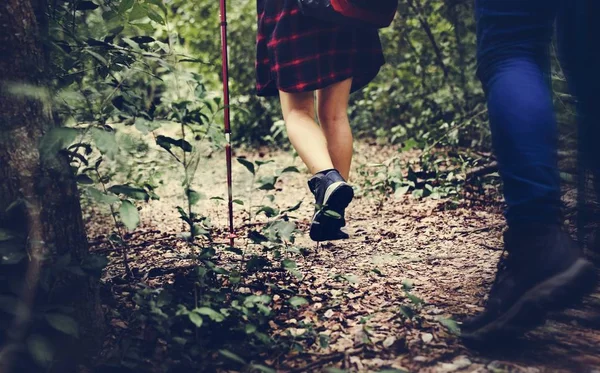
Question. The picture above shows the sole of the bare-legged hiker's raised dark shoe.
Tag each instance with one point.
(326, 228)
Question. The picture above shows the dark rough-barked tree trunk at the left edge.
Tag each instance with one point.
(38, 197)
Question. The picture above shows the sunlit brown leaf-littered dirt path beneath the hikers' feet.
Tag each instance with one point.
(355, 288)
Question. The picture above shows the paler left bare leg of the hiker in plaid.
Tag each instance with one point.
(304, 133)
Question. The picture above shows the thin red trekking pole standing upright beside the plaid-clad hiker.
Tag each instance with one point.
(225, 77)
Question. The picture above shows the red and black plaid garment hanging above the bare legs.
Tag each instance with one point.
(296, 53)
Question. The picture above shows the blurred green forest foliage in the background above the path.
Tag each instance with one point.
(427, 88)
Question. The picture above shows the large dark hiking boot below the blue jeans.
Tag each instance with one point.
(543, 270)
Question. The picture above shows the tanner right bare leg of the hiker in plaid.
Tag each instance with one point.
(332, 110)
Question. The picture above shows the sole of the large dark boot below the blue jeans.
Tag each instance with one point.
(553, 294)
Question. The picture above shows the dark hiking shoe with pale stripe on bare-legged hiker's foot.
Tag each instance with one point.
(332, 196)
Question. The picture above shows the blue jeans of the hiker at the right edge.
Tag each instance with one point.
(513, 51)
